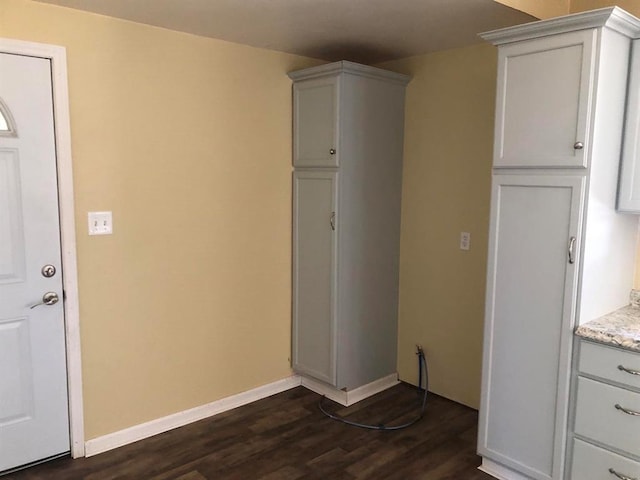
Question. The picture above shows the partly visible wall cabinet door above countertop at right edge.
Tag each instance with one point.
(629, 186)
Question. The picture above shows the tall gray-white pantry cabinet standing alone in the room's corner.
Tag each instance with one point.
(348, 139)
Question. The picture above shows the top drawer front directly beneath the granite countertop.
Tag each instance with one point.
(603, 361)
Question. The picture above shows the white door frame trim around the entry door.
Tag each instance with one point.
(58, 57)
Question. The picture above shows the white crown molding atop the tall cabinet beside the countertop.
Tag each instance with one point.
(613, 18)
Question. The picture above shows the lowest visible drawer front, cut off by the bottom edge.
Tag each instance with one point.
(593, 463)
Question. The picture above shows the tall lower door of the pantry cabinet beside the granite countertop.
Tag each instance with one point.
(534, 255)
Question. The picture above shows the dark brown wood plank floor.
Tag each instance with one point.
(286, 437)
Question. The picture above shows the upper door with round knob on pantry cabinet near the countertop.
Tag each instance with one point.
(544, 100)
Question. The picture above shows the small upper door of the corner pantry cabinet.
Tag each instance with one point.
(315, 117)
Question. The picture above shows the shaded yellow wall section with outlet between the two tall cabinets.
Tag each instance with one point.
(446, 190)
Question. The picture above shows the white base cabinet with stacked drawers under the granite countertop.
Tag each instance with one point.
(606, 440)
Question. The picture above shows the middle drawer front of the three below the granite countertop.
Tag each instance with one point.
(598, 418)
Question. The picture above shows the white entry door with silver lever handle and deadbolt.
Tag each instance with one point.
(34, 420)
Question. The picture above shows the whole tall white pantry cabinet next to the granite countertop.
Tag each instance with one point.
(559, 254)
